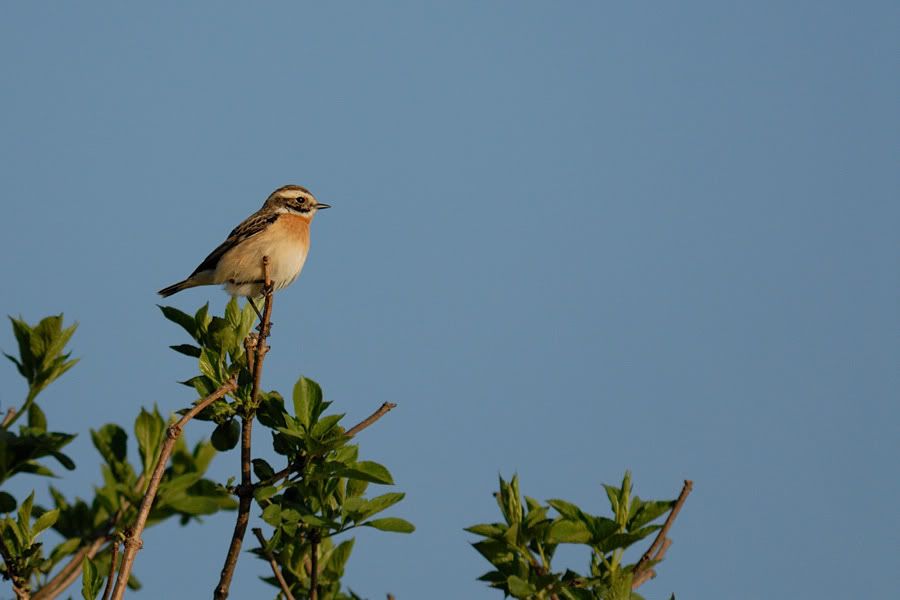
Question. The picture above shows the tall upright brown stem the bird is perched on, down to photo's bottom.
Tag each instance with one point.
(245, 490)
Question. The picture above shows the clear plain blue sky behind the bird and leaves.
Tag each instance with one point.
(567, 239)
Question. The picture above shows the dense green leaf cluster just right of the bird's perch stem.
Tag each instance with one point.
(320, 494)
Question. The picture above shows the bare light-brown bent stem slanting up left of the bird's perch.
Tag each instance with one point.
(133, 541)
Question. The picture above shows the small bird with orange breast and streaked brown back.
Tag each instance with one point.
(279, 230)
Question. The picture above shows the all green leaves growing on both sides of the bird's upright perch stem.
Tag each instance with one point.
(321, 490)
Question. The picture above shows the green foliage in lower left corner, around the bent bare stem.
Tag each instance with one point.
(84, 525)
